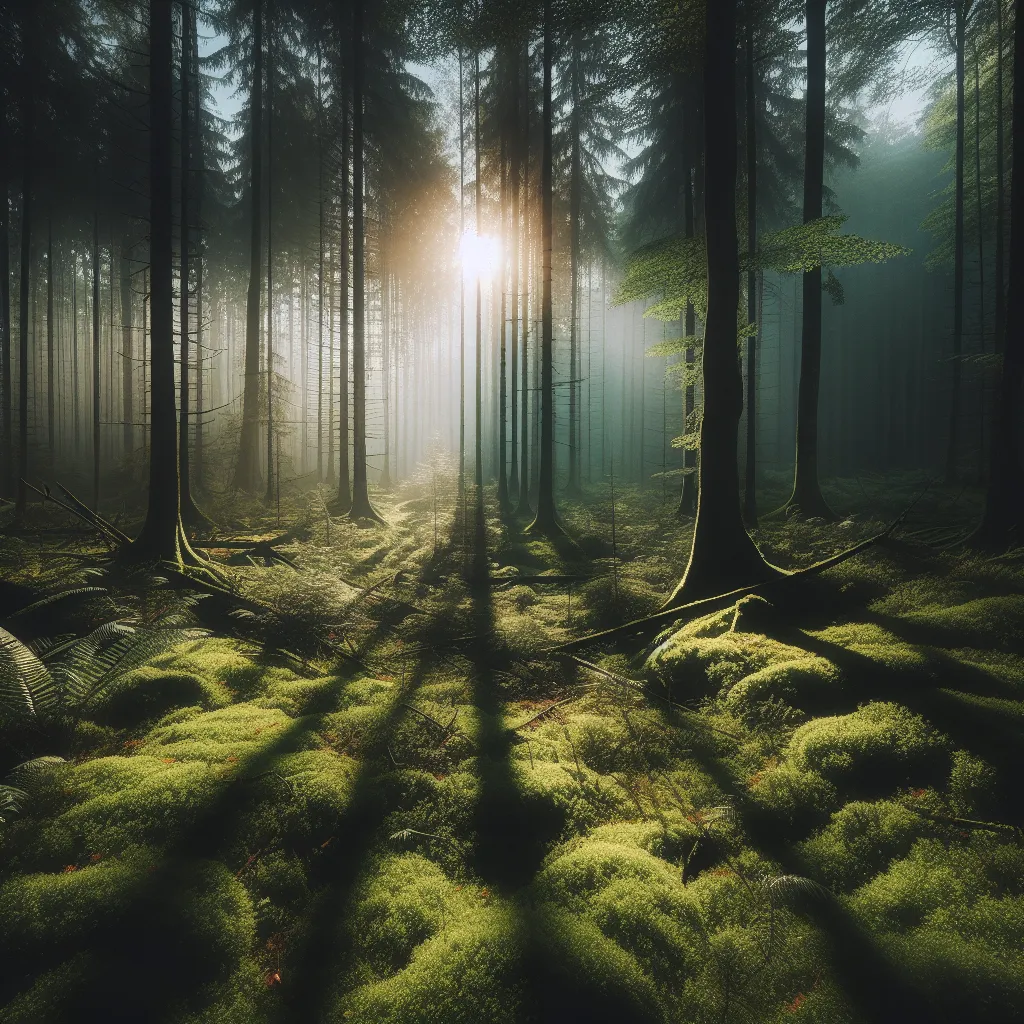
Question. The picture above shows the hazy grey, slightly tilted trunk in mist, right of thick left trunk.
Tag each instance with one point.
(247, 472)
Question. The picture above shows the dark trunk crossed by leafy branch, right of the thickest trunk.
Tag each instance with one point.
(807, 497)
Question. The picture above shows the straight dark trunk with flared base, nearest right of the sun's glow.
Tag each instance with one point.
(546, 521)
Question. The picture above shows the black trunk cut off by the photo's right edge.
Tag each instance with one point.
(1001, 523)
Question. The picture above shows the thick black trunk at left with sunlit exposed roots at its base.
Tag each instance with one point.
(162, 538)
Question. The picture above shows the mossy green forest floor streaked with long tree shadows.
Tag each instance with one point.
(383, 800)
